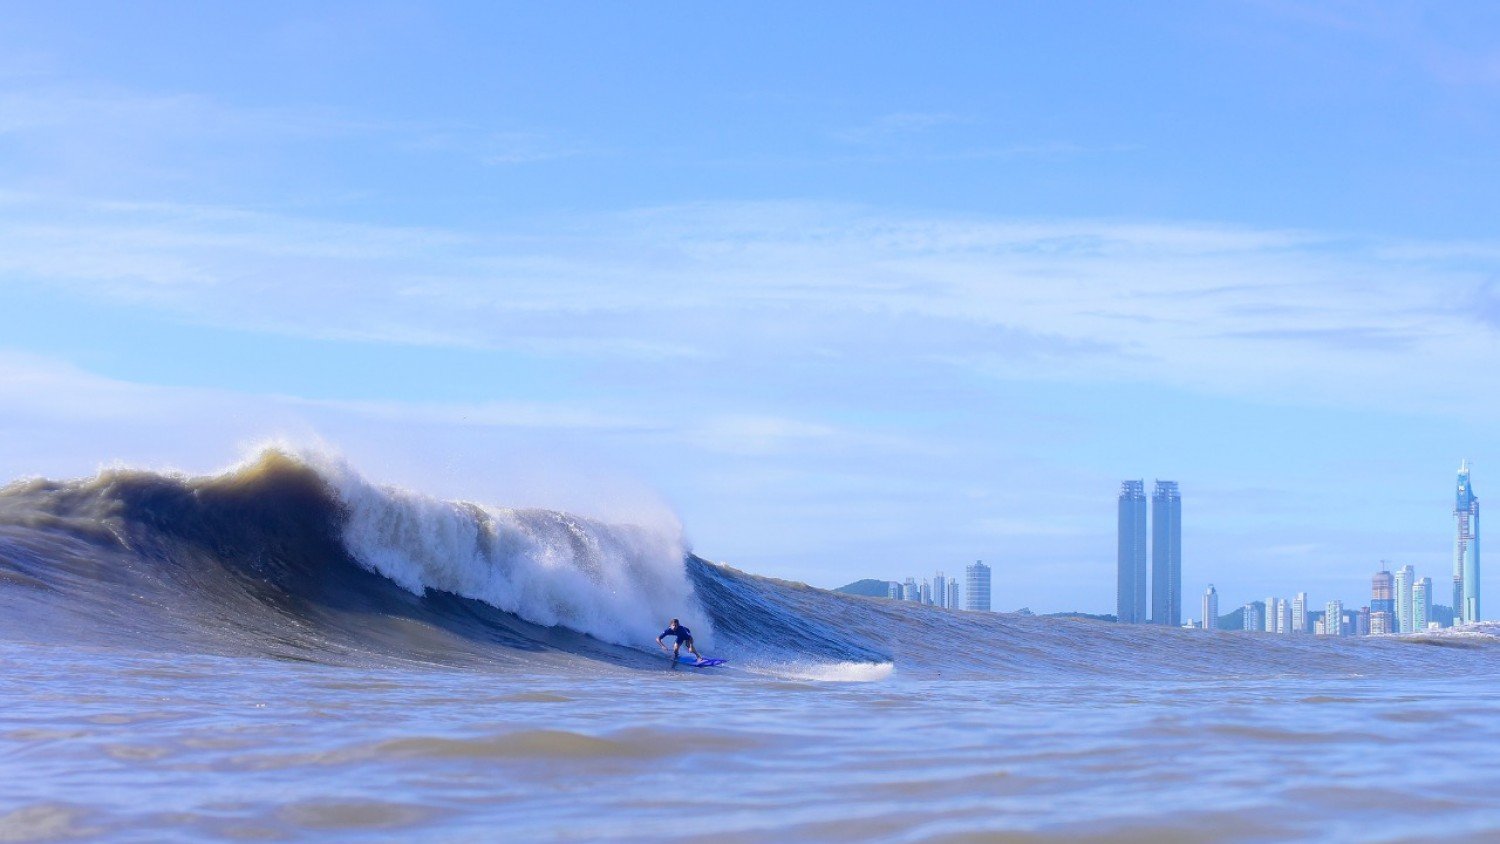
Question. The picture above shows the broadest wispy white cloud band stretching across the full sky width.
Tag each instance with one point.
(1204, 307)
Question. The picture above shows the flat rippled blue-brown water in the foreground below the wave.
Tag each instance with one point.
(127, 746)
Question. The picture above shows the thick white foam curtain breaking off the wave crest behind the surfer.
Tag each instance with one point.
(619, 584)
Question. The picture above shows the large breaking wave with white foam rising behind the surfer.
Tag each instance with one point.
(298, 557)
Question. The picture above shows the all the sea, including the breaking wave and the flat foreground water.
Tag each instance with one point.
(287, 651)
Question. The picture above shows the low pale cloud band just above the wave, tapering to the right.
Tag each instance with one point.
(47, 394)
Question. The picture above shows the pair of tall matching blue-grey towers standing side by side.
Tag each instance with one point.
(1166, 555)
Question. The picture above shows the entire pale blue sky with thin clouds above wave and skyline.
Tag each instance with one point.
(847, 292)
